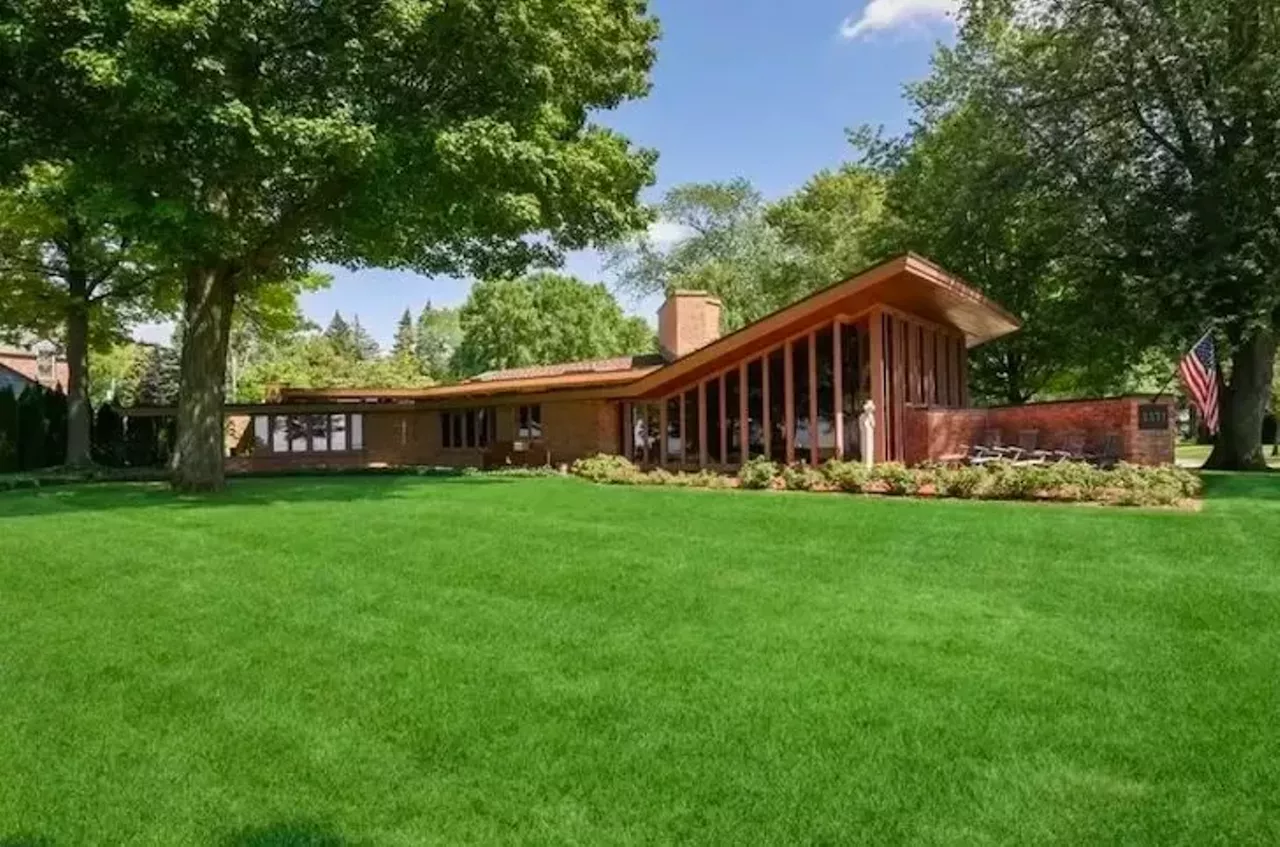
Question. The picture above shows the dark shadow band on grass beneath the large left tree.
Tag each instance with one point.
(243, 492)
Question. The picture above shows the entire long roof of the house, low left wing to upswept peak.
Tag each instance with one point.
(909, 283)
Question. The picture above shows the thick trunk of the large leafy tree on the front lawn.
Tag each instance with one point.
(198, 456)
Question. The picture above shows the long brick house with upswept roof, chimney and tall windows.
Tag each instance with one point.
(790, 387)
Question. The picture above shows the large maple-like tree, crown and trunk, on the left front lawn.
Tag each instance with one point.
(260, 139)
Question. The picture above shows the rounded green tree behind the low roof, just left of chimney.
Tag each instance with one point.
(541, 321)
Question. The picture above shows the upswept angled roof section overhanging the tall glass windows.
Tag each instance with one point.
(908, 283)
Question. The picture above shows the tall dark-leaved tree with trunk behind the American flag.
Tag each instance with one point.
(1167, 120)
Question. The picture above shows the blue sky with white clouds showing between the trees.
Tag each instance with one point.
(757, 89)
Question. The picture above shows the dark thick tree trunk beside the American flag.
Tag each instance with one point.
(1244, 405)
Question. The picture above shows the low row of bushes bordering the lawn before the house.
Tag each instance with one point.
(1073, 482)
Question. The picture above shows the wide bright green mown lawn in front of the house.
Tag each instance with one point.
(408, 662)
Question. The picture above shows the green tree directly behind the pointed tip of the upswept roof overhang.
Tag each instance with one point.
(967, 191)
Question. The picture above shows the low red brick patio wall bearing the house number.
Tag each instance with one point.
(938, 434)
